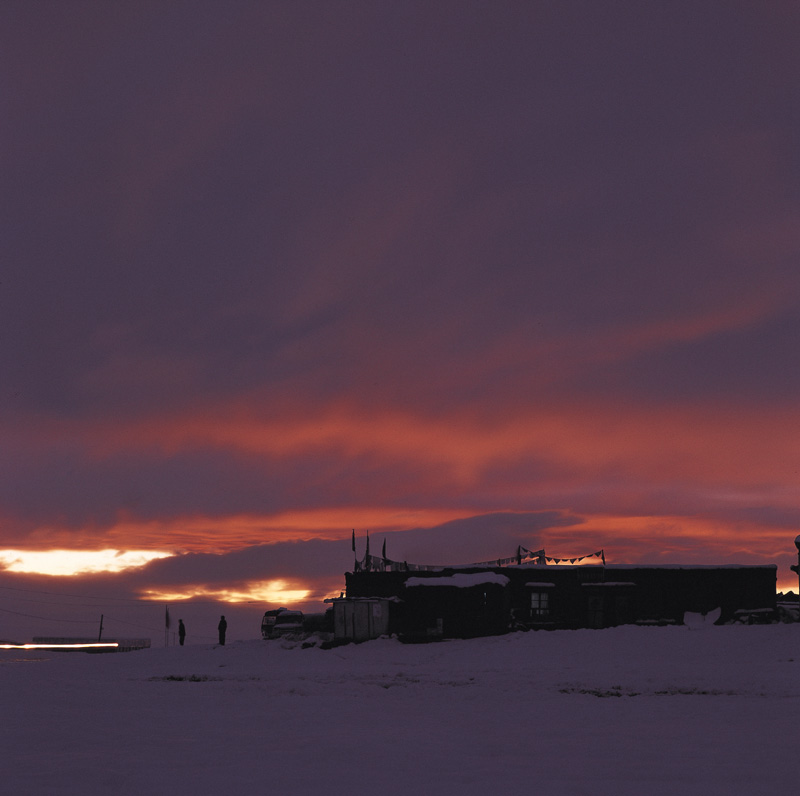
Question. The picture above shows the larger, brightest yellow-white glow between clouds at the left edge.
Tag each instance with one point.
(76, 562)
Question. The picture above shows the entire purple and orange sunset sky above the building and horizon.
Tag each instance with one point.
(462, 275)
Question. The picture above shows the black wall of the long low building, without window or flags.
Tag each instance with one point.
(579, 596)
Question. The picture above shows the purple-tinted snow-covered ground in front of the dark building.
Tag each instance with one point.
(661, 710)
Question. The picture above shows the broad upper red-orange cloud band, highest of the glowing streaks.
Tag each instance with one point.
(716, 446)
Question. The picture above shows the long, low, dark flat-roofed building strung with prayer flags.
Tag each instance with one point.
(445, 602)
